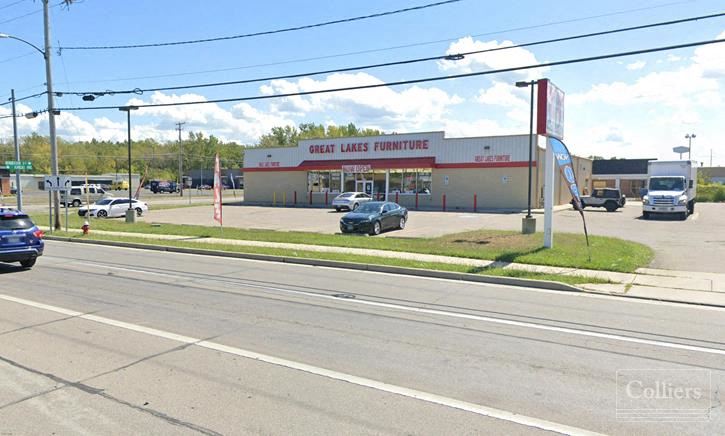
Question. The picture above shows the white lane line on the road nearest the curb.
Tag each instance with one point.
(460, 315)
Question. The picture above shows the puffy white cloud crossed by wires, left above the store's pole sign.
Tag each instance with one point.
(499, 58)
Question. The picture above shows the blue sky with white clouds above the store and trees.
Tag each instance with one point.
(637, 106)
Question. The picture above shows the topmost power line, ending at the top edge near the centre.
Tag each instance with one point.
(266, 32)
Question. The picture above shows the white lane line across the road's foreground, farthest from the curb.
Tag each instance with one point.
(323, 372)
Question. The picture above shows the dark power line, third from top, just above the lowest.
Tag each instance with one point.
(404, 62)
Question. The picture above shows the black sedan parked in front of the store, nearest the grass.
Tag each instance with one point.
(373, 217)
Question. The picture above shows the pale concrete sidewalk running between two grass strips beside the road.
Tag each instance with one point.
(645, 283)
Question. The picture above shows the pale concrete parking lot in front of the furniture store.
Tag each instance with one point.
(697, 244)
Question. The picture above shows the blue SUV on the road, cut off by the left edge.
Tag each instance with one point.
(20, 239)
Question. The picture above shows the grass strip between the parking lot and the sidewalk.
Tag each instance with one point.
(569, 250)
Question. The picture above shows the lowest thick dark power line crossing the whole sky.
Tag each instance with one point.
(414, 81)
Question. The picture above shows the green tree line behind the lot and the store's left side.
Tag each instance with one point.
(160, 160)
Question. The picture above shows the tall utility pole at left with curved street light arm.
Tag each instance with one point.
(51, 107)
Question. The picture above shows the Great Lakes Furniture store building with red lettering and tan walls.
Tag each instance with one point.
(417, 170)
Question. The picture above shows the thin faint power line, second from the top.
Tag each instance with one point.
(377, 50)
